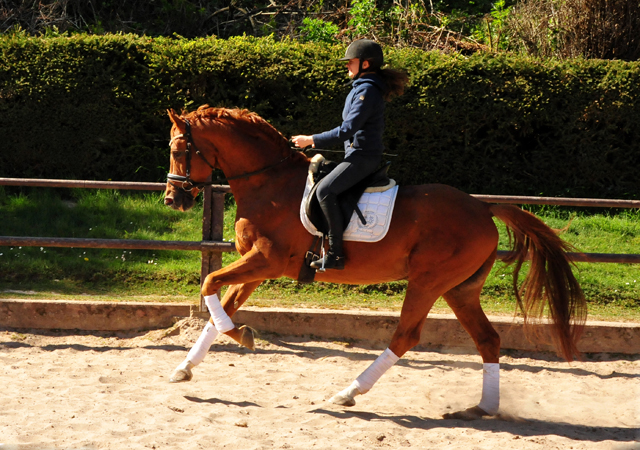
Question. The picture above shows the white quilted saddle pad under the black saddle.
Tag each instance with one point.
(376, 207)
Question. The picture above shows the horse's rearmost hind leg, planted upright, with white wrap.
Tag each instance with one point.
(464, 300)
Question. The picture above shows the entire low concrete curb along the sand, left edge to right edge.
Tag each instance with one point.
(376, 328)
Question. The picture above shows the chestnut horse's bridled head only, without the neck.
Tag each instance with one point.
(189, 169)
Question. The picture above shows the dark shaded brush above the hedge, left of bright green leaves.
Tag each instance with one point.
(188, 18)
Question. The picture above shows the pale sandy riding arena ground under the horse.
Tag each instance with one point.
(62, 390)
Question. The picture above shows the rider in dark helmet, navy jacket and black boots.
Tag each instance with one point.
(361, 132)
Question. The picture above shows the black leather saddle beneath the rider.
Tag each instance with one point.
(378, 181)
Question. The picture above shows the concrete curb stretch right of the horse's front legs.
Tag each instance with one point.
(440, 330)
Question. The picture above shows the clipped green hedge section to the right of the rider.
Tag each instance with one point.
(511, 124)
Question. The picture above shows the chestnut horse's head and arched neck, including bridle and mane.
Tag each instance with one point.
(246, 149)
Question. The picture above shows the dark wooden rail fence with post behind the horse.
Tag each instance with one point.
(212, 245)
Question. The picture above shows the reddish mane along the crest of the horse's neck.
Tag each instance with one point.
(249, 122)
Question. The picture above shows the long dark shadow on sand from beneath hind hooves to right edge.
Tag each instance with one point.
(499, 424)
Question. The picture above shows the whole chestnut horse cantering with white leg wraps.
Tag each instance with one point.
(443, 241)
